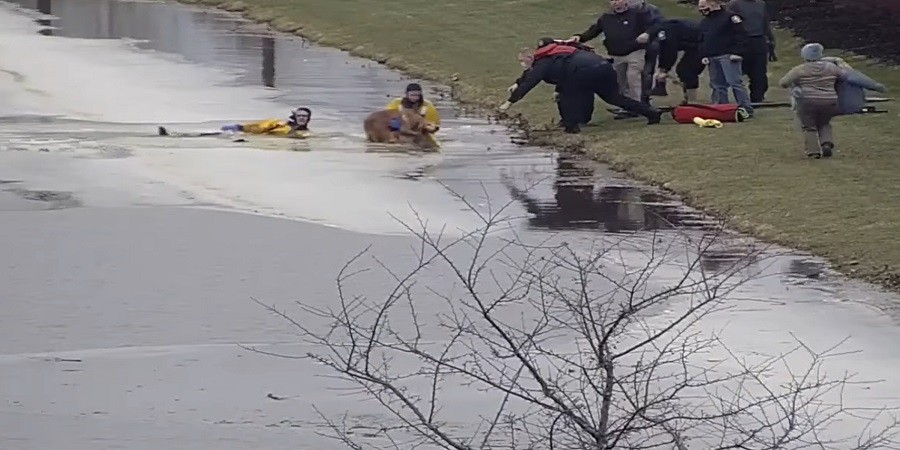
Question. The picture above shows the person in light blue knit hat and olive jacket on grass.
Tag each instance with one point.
(813, 87)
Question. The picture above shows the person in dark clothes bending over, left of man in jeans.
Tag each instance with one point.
(674, 36)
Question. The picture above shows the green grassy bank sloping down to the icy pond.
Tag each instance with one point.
(846, 209)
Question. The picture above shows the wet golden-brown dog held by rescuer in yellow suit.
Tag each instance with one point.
(414, 129)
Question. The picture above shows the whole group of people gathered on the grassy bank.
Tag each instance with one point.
(732, 39)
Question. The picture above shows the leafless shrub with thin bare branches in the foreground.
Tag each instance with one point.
(577, 350)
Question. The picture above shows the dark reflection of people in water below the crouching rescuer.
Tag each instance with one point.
(579, 203)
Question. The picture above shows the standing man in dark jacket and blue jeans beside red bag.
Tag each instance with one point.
(723, 43)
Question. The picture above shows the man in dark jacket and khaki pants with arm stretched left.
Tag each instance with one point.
(621, 26)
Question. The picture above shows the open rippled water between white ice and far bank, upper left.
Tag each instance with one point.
(301, 74)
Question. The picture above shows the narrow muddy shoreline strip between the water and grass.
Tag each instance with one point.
(472, 102)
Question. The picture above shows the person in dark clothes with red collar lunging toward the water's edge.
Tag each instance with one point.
(577, 74)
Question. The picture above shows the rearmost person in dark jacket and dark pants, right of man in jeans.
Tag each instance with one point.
(760, 44)
